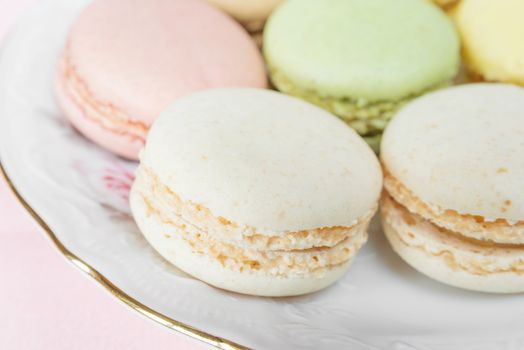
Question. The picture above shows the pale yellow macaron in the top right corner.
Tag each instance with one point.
(493, 39)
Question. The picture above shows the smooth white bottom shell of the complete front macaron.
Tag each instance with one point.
(178, 252)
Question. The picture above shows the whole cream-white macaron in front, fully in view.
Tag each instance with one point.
(255, 192)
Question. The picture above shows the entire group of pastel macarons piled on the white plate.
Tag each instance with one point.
(271, 193)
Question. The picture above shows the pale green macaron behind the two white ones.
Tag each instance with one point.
(360, 60)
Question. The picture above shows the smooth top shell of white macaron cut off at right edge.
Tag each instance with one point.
(462, 149)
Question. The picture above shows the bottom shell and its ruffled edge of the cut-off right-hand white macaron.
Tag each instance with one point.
(449, 258)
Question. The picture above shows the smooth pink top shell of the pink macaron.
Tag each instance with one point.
(139, 55)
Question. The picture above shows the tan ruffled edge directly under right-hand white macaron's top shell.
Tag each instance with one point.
(477, 227)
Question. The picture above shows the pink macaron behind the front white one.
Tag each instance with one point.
(124, 61)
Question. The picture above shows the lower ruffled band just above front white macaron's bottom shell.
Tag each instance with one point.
(246, 257)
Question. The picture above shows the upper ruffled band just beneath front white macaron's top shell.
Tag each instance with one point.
(169, 204)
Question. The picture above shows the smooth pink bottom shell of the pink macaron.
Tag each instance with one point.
(119, 144)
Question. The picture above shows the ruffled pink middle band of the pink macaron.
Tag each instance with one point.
(104, 114)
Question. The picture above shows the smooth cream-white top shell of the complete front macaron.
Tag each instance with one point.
(263, 159)
